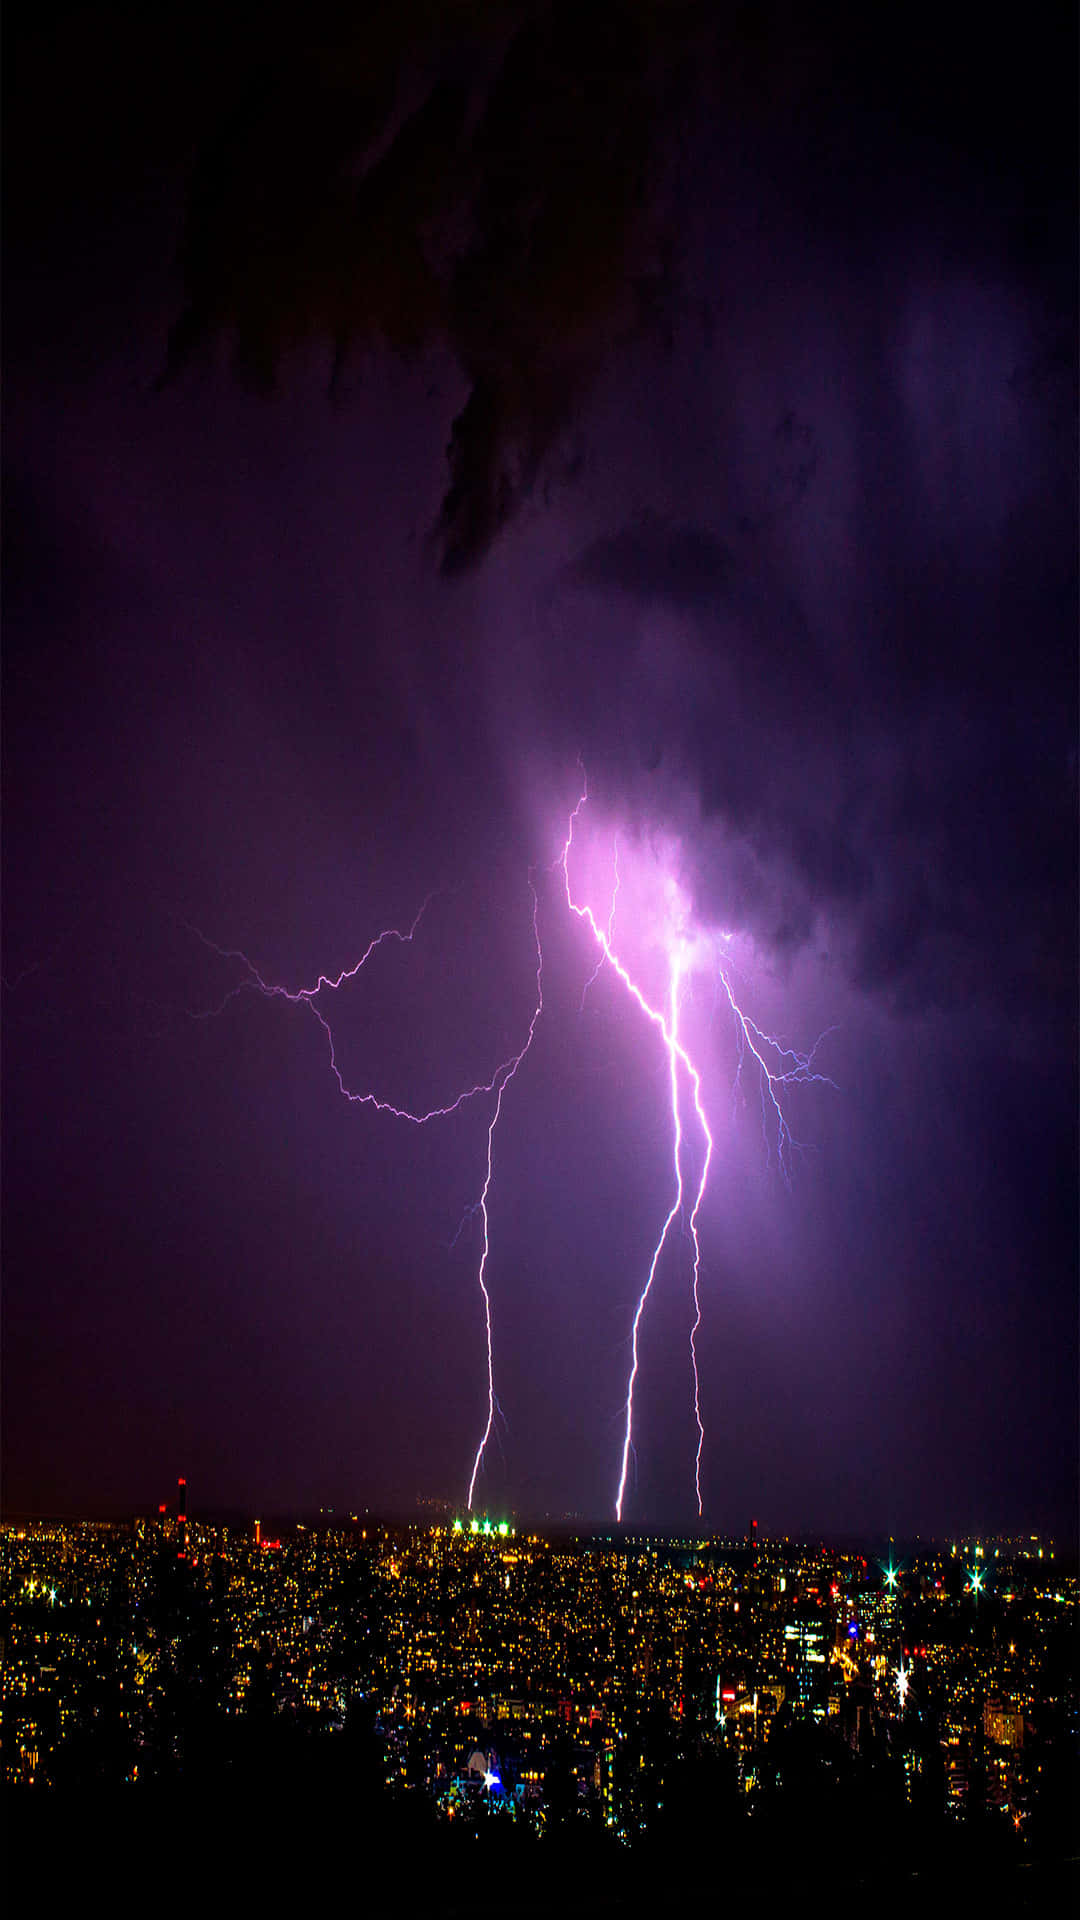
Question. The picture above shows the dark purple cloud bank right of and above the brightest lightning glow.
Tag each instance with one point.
(920, 794)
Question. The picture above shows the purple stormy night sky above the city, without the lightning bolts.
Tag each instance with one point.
(403, 404)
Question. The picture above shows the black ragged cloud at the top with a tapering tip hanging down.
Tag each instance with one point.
(479, 180)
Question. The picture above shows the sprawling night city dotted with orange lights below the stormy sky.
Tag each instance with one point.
(522, 1687)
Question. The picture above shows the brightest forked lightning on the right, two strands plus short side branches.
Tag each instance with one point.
(791, 1068)
